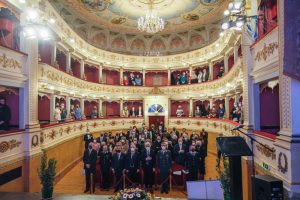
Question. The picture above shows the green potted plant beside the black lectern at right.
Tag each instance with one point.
(224, 176)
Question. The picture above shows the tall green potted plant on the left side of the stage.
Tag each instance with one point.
(47, 174)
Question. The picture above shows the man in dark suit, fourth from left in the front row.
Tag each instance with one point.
(132, 164)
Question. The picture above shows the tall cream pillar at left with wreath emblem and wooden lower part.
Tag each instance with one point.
(29, 110)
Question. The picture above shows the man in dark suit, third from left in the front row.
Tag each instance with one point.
(118, 165)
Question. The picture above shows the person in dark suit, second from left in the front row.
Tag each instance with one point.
(105, 164)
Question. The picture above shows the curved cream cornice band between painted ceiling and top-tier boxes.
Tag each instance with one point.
(96, 55)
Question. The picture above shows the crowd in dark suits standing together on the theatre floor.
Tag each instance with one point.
(148, 149)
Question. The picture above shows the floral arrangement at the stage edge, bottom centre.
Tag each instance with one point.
(134, 194)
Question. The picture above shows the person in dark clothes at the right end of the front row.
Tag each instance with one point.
(192, 163)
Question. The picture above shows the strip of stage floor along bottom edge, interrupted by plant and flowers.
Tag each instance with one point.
(37, 196)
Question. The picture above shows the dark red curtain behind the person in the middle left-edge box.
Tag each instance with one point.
(12, 101)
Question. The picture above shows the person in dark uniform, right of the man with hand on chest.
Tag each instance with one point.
(164, 163)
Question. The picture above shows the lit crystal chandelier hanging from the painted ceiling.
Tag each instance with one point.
(151, 22)
